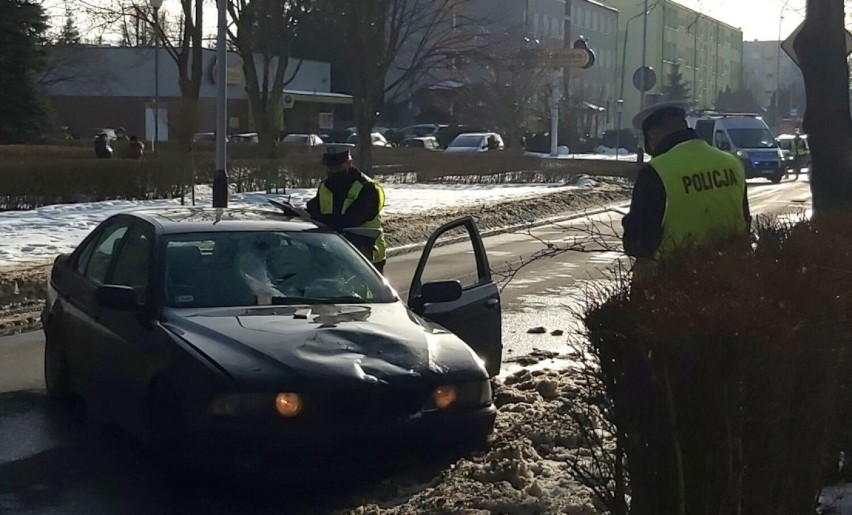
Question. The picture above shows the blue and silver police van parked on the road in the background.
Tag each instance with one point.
(745, 135)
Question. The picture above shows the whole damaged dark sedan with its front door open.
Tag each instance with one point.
(260, 331)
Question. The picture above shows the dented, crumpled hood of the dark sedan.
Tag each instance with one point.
(369, 343)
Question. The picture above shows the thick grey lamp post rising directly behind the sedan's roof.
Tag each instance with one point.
(220, 179)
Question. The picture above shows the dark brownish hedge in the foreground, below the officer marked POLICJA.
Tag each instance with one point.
(727, 375)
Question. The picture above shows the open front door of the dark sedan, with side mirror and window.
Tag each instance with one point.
(473, 313)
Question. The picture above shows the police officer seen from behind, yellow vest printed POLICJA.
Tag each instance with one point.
(688, 194)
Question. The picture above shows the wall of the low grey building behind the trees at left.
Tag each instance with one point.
(112, 86)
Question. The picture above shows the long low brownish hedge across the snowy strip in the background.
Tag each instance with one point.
(36, 175)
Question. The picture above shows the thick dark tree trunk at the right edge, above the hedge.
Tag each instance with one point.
(822, 53)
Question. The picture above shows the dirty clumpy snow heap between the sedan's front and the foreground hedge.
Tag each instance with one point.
(527, 469)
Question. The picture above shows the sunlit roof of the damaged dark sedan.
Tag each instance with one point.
(180, 220)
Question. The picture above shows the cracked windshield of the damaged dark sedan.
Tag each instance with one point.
(230, 269)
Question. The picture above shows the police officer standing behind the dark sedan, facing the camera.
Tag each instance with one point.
(351, 202)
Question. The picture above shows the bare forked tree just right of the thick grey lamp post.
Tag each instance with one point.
(262, 32)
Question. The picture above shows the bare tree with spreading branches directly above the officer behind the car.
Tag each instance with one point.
(390, 46)
